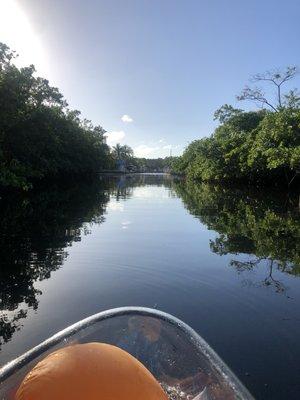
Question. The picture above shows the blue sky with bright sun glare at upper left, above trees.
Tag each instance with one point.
(152, 72)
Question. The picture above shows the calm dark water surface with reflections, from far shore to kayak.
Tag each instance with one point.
(226, 261)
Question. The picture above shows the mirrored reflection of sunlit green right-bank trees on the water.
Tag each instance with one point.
(259, 228)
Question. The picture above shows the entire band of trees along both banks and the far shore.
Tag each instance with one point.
(42, 139)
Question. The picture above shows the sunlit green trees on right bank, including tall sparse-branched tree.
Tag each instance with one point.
(252, 146)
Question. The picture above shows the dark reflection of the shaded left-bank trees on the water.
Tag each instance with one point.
(35, 231)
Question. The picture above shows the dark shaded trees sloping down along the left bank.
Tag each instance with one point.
(39, 135)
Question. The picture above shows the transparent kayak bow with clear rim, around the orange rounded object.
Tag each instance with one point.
(176, 355)
